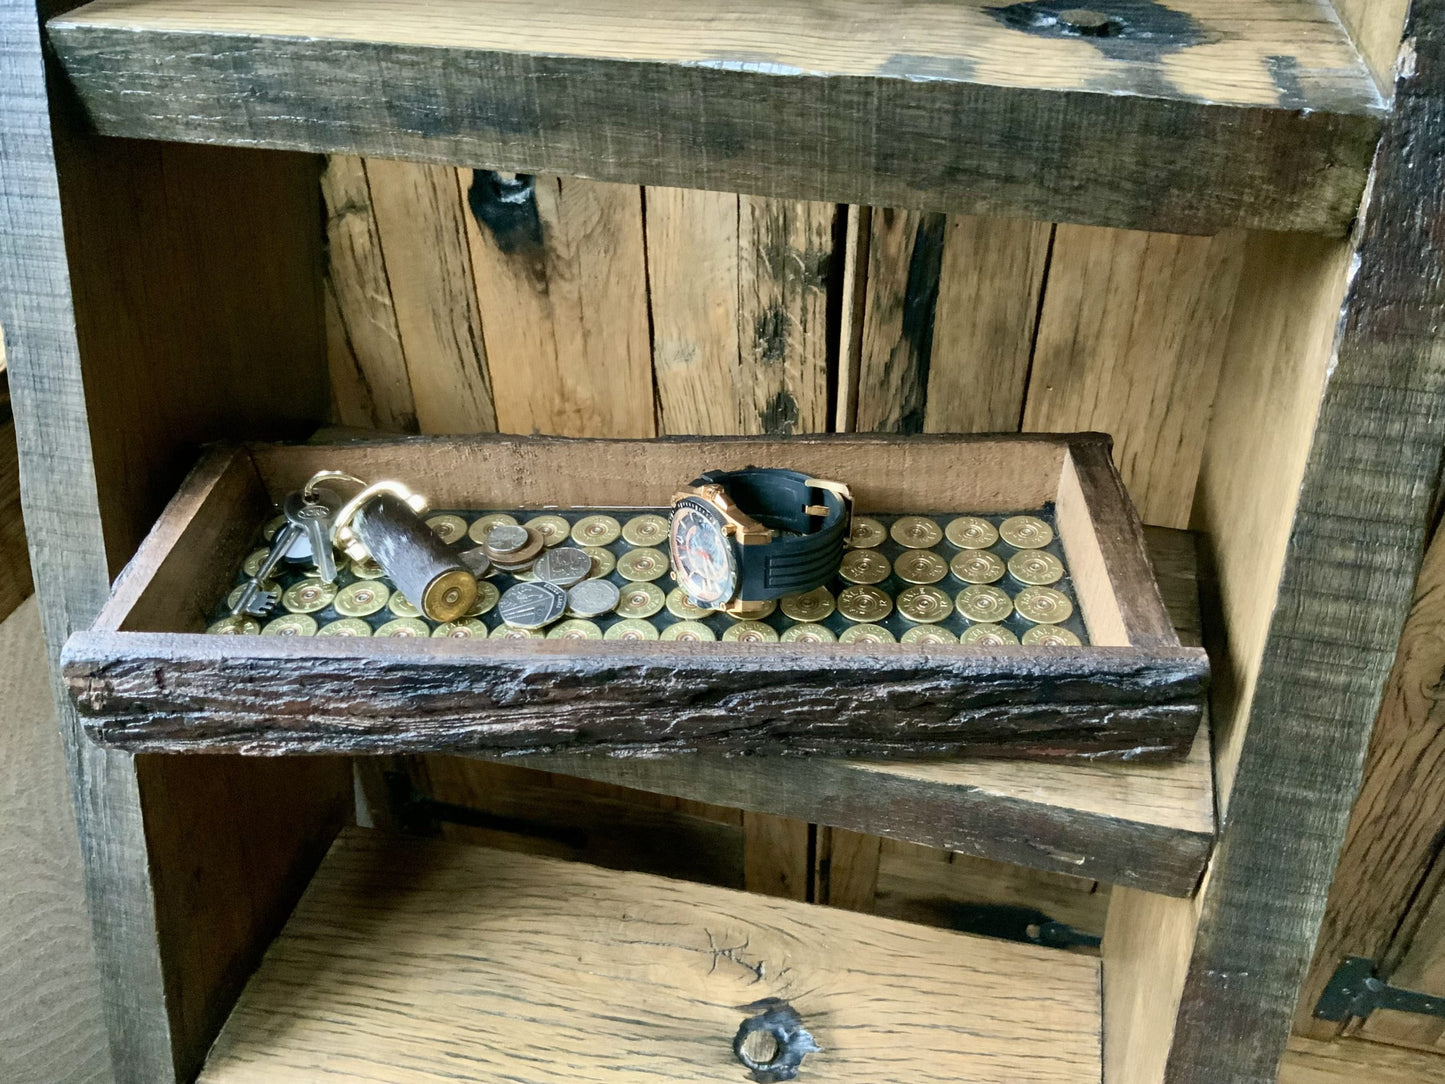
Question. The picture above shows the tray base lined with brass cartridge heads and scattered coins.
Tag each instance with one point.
(606, 576)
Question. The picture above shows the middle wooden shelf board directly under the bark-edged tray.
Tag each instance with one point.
(1144, 826)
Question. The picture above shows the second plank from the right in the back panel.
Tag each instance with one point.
(985, 323)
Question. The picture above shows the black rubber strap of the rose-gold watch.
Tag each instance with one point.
(807, 551)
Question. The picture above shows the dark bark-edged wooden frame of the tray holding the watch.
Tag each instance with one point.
(148, 680)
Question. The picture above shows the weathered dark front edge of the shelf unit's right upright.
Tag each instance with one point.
(1352, 559)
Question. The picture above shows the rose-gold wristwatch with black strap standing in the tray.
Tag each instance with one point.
(743, 538)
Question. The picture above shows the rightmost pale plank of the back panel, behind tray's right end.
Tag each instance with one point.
(1131, 340)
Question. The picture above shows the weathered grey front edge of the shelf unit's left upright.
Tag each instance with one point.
(67, 549)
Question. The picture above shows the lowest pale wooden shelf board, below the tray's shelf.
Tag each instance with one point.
(434, 962)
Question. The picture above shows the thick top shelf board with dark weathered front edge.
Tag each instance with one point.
(1196, 116)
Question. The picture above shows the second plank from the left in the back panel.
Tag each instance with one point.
(423, 229)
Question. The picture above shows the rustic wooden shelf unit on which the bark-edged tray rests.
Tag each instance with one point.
(171, 277)
